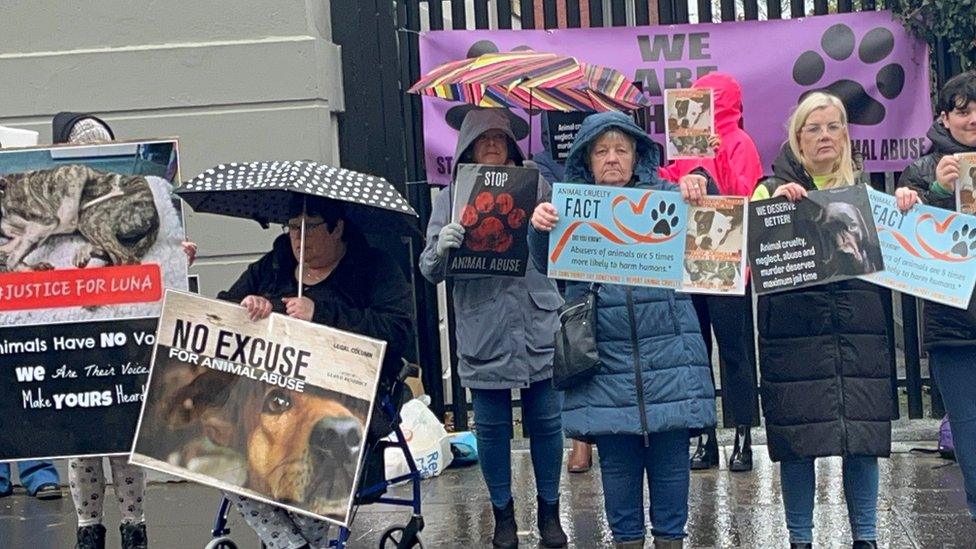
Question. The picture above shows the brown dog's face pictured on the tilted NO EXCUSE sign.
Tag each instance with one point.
(301, 448)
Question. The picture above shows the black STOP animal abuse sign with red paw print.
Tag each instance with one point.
(493, 204)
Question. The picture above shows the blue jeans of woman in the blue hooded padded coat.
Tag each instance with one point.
(623, 461)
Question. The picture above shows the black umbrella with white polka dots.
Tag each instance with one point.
(263, 191)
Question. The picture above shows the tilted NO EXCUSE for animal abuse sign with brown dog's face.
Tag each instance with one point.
(276, 410)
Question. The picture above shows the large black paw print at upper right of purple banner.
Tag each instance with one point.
(838, 45)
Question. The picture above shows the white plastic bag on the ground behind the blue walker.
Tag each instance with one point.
(428, 441)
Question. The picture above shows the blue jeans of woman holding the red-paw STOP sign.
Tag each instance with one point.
(542, 419)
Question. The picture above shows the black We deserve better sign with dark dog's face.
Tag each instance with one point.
(826, 237)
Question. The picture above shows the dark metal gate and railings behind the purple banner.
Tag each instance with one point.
(377, 34)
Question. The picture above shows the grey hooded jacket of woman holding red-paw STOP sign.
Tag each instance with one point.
(505, 325)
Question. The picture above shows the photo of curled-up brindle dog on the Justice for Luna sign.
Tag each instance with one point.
(88, 207)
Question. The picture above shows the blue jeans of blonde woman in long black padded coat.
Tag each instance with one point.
(798, 482)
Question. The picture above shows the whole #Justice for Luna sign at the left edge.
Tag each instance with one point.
(89, 239)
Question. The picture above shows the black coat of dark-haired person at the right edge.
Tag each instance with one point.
(944, 326)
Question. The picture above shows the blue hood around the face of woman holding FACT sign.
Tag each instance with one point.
(647, 158)
